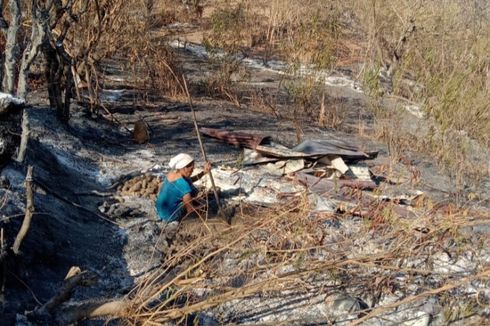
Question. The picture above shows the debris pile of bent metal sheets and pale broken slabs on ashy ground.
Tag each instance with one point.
(270, 172)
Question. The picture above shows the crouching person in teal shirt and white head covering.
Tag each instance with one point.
(174, 200)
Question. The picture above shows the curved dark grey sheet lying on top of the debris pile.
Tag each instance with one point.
(332, 147)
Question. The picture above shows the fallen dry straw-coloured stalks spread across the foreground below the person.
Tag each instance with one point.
(277, 251)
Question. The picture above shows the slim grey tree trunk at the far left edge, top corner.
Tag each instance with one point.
(11, 48)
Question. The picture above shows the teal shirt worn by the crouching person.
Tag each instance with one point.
(169, 204)
